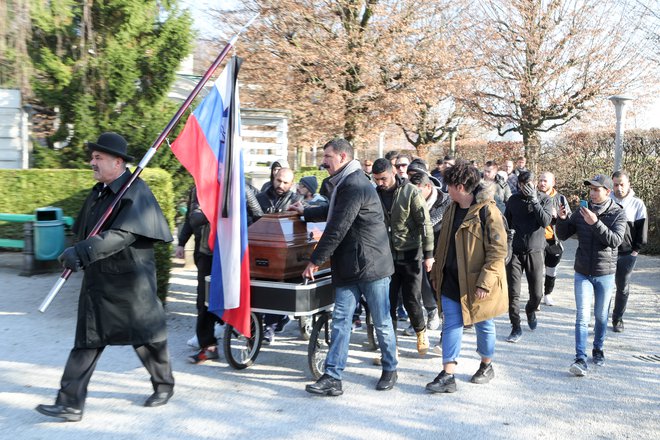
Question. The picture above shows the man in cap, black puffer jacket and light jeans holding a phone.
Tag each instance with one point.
(600, 228)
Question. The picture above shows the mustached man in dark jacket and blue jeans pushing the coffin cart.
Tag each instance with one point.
(353, 239)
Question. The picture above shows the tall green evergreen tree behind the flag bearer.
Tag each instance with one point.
(108, 65)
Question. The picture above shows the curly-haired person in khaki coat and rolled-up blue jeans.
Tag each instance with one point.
(469, 273)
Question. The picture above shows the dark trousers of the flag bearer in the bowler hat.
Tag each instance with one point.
(82, 361)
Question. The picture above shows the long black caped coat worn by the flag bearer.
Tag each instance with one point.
(118, 304)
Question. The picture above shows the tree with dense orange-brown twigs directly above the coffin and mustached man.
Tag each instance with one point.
(346, 67)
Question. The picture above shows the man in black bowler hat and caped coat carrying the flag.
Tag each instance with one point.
(118, 304)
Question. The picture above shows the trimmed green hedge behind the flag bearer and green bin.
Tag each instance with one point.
(25, 190)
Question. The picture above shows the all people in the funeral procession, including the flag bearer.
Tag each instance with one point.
(435, 243)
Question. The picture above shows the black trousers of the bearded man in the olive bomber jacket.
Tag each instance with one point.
(408, 277)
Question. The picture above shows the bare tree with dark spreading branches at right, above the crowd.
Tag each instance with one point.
(544, 63)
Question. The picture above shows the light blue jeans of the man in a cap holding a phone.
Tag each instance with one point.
(587, 287)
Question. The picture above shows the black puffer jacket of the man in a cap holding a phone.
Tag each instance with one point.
(597, 252)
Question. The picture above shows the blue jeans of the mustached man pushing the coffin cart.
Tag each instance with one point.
(346, 298)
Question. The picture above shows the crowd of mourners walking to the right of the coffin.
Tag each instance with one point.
(448, 241)
